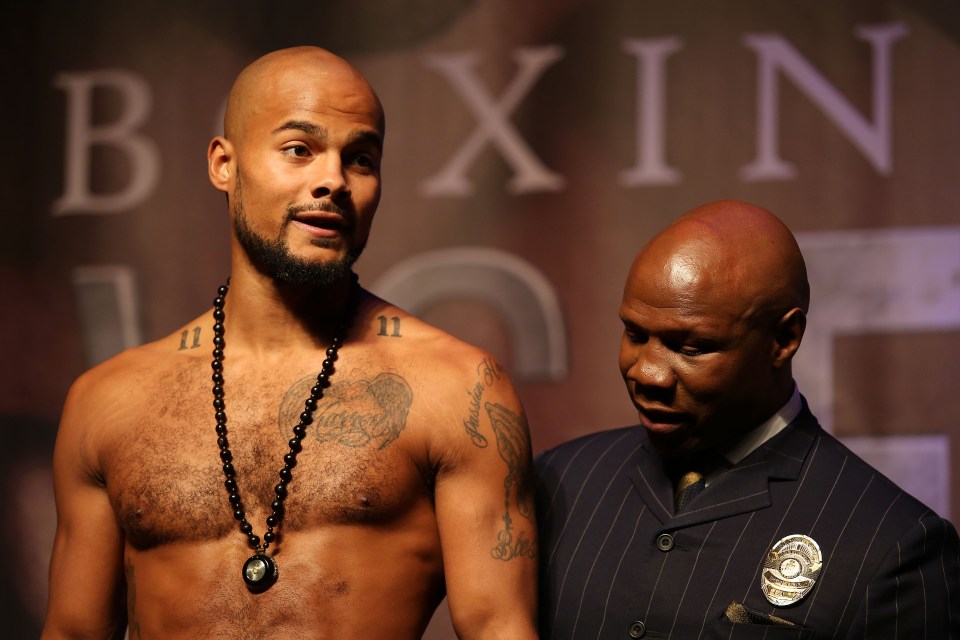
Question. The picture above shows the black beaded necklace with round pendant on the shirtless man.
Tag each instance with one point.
(260, 570)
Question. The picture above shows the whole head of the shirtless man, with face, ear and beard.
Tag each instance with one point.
(300, 163)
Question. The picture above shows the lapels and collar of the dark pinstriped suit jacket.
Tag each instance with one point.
(740, 489)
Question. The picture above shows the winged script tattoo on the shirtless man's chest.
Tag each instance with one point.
(355, 413)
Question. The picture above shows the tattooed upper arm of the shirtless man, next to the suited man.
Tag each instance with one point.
(486, 517)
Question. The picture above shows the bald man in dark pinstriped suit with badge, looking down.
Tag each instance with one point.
(784, 533)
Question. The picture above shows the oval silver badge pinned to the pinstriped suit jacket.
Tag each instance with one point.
(790, 570)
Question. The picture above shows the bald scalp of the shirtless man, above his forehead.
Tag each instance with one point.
(284, 75)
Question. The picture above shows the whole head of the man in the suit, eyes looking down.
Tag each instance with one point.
(714, 310)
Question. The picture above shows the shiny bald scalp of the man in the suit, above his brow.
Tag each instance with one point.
(735, 248)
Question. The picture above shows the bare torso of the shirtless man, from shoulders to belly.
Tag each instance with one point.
(359, 551)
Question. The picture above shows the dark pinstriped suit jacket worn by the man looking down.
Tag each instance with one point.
(891, 567)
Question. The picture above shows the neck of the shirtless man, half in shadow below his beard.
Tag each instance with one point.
(269, 316)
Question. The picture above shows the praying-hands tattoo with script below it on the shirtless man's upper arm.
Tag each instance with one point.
(513, 447)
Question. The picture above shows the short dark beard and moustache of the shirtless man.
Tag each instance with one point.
(273, 258)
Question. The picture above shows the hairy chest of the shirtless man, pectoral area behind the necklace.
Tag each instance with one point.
(164, 469)
